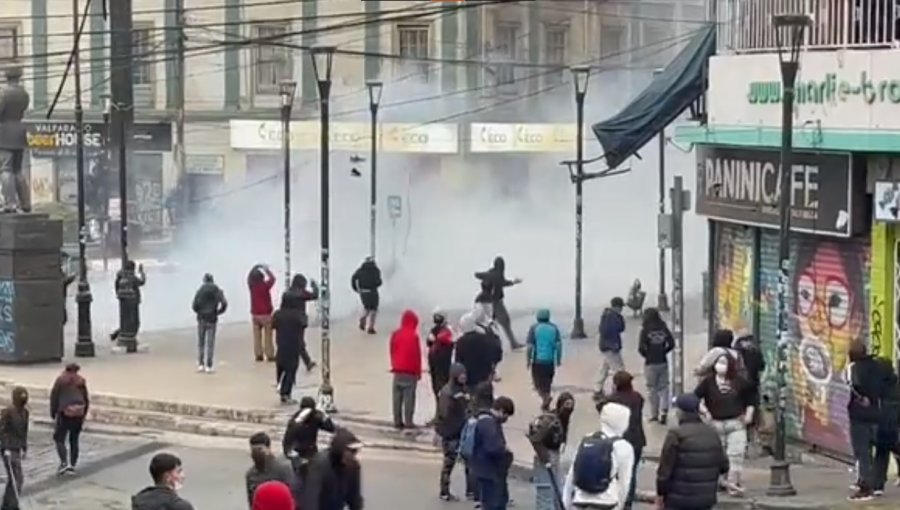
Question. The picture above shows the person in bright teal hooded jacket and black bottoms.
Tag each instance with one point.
(544, 355)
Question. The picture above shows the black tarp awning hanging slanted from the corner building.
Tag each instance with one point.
(672, 91)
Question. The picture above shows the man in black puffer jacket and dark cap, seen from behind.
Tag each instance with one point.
(691, 461)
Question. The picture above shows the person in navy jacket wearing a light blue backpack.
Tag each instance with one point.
(483, 446)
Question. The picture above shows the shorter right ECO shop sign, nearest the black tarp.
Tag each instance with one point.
(523, 138)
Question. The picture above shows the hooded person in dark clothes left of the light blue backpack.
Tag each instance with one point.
(452, 412)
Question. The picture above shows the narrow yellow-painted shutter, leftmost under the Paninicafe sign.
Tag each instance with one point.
(734, 277)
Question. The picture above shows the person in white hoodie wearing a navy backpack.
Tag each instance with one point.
(600, 476)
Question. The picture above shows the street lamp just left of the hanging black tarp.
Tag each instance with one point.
(580, 75)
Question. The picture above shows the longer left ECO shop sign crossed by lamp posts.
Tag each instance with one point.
(347, 136)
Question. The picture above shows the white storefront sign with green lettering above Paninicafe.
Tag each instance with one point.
(851, 90)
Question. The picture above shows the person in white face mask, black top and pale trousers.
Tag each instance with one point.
(728, 400)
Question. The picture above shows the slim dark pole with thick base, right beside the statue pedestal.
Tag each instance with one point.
(84, 347)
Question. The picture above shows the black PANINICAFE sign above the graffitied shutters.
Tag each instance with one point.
(742, 186)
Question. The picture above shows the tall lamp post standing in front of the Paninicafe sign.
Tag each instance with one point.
(789, 29)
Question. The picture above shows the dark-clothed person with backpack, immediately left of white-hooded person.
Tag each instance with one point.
(548, 434)
